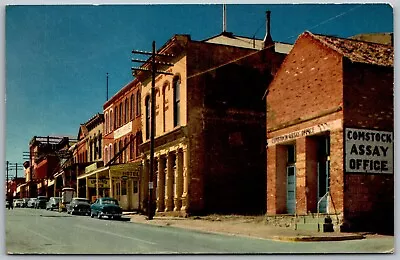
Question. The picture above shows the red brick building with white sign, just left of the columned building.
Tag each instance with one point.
(122, 138)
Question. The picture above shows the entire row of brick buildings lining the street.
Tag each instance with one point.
(247, 126)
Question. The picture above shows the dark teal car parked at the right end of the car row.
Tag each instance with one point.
(108, 207)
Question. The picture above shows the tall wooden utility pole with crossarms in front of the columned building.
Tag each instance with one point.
(153, 71)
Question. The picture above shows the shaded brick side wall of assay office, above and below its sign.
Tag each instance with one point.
(368, 104)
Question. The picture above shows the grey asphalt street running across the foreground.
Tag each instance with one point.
(31, 231)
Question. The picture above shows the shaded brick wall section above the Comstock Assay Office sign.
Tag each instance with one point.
(368, 101)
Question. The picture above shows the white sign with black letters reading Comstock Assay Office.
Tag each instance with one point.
(368, 151)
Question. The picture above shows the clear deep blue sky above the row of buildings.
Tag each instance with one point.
(57, 57)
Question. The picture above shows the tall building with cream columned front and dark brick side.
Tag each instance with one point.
(209, 141)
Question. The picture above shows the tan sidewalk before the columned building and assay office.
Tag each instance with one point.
(242, 225)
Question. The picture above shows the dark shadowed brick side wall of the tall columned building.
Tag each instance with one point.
(218, 169)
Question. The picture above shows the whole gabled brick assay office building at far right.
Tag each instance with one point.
(330, 131)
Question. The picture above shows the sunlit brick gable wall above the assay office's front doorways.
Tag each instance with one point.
(308, 82)
